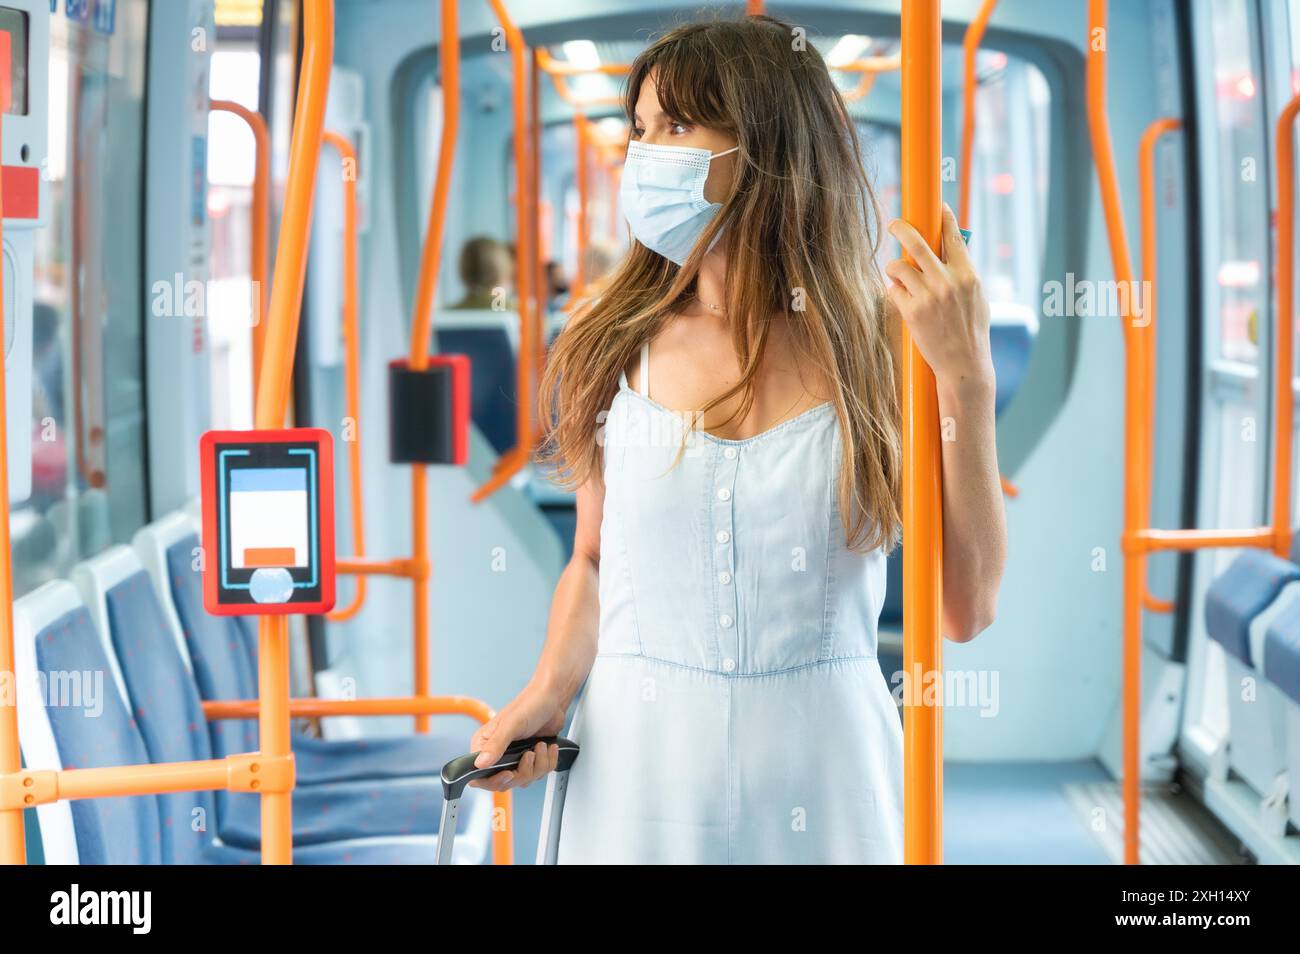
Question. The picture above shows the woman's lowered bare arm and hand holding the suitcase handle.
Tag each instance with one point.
(565, 664)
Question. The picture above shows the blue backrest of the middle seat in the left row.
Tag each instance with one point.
(161, 687)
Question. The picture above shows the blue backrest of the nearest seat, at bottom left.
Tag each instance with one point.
(72, 715)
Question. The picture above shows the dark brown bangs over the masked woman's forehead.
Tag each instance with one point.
(687, 81)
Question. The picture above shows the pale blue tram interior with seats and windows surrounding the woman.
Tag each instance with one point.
(144, 266)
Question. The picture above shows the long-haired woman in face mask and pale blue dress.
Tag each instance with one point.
(729, 413)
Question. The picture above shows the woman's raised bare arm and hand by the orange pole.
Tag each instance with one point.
(948, 318)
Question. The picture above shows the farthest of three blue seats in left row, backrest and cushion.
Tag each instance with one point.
(223, 657)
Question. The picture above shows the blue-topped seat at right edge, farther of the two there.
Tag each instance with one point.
(1241, 605)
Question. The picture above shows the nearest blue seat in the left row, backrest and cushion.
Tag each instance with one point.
(73, 714)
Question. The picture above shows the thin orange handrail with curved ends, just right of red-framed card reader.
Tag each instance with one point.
(352, 365)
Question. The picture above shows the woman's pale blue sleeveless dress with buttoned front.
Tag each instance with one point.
(735, 713)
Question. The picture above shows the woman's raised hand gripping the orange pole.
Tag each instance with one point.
(943, 305)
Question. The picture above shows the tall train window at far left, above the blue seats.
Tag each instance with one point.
(88, 427)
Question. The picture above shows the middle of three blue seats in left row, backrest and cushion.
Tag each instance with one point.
(149, 664)
